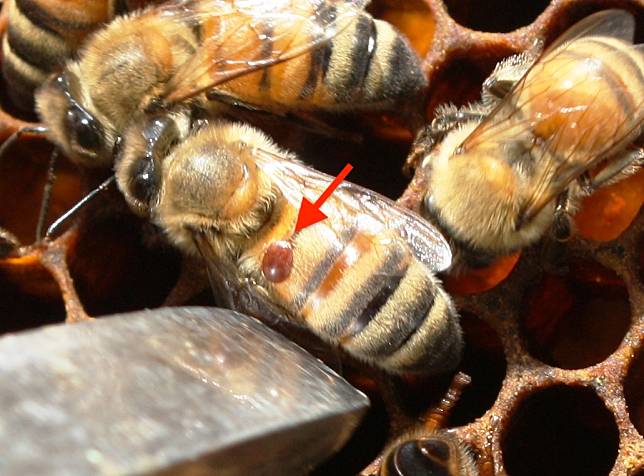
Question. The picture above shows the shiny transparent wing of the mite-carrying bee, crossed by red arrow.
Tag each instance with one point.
(354, 207)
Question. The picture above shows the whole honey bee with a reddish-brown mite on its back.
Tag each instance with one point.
(362, 279)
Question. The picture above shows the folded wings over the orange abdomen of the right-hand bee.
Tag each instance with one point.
(561, 102)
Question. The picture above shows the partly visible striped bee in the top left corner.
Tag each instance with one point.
(43, 34)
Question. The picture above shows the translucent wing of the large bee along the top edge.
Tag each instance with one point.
(241, 36)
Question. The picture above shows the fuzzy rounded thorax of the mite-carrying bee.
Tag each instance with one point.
(212, 186)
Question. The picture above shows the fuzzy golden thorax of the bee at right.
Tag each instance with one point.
(477, 197)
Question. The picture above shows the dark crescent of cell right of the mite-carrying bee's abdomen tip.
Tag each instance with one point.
(484, 361)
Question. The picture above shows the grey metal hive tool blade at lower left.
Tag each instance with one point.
(187, 390)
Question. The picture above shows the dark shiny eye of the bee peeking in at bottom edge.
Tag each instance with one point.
(428, 457)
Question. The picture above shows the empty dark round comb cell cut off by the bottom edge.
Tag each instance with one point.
(560, 431)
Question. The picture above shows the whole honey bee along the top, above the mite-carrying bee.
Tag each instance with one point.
(283, 55)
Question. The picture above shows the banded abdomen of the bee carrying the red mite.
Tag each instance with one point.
(381, 305)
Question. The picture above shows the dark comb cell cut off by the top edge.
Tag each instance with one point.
(495, 15)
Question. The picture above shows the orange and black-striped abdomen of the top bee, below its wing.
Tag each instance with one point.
(367, 65)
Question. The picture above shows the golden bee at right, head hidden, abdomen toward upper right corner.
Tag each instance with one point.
(546, 133)
